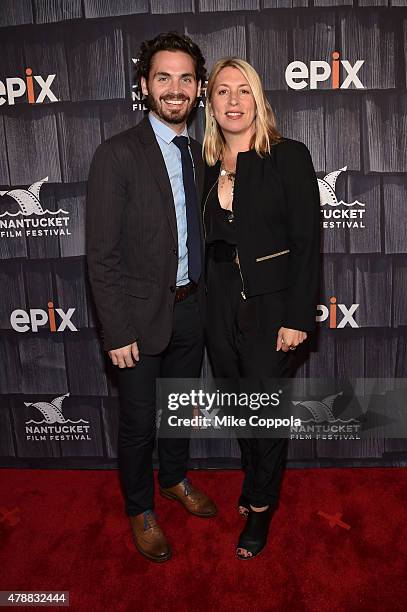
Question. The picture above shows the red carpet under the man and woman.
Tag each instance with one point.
(65, 530)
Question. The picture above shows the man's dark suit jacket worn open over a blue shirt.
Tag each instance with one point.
(132, 243)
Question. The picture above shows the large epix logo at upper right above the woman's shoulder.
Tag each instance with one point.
(297, 74)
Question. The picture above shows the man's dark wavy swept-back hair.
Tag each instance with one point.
(169, 41)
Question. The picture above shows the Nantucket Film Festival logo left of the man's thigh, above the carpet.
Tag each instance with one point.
(53, 425)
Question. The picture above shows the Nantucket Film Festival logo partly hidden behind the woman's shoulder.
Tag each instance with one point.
(337, 213)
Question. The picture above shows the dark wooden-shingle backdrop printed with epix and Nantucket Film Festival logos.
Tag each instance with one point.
(335, 73)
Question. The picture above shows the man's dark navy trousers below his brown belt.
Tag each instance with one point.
(182, 358)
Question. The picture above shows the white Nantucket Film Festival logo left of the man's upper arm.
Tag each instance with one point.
(26, 217)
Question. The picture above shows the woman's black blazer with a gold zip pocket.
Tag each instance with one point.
(277, 219)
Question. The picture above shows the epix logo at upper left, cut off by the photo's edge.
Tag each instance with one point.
(33, 87)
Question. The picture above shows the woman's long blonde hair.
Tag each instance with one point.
(265, 134)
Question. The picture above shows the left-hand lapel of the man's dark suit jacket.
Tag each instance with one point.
(158, 171)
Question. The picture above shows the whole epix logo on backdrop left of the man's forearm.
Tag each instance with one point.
(54, 318)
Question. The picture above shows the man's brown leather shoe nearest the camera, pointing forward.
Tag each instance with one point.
(149, 538)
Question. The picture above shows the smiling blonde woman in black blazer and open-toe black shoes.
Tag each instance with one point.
(262, 228)
